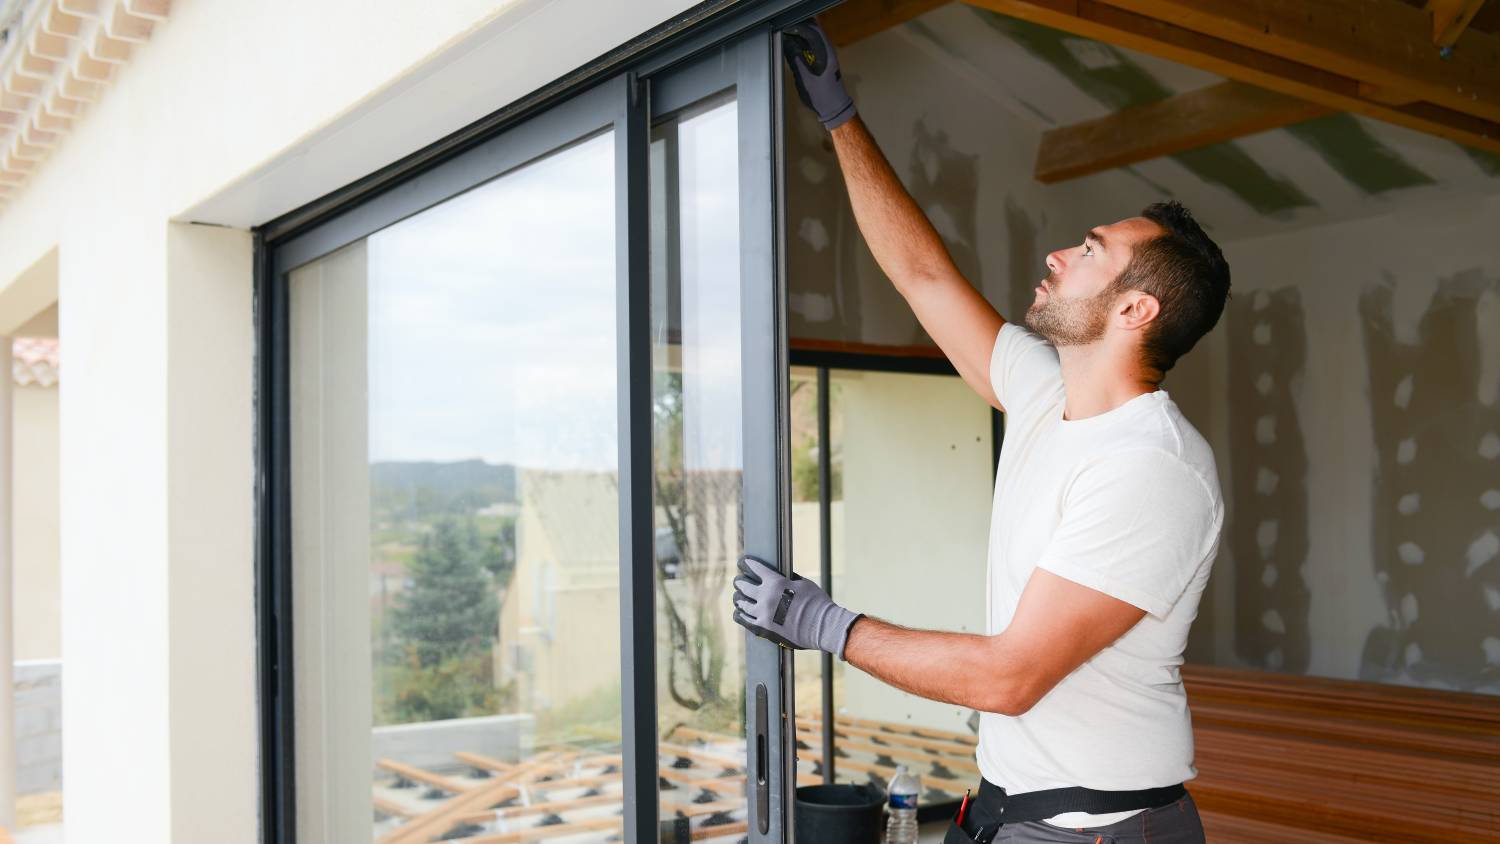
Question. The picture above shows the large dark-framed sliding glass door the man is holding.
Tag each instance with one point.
(523, 413)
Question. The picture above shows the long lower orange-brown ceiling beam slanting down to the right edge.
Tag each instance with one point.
(1102, 22)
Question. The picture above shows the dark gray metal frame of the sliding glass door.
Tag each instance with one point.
(613, 94)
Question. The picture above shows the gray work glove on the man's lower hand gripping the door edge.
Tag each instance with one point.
(790, 611)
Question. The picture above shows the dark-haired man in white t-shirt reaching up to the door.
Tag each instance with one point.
(1106, 516)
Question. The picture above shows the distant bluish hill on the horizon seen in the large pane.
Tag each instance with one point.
(422, 488)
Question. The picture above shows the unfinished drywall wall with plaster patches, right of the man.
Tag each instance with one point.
(1366, 512)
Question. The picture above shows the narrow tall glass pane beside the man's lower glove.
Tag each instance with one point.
(695, 328)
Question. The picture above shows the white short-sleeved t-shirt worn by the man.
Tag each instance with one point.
(1126, 503)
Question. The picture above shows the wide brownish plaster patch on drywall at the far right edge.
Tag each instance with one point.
(1433, 412)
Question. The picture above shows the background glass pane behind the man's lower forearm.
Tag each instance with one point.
(913, 488)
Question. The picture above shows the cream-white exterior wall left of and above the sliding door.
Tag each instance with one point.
(233, 113)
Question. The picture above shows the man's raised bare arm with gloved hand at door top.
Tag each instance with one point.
(904, 241)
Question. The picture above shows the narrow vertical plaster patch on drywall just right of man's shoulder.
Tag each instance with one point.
(1268, 528)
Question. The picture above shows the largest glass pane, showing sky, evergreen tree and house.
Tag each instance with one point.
(455, 527)
